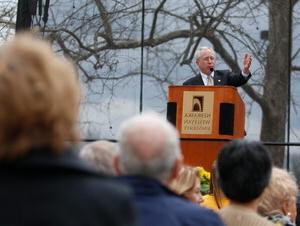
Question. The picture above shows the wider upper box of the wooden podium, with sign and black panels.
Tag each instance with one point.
(206, 112)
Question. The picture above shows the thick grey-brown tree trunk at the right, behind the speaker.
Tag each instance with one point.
(276, 78)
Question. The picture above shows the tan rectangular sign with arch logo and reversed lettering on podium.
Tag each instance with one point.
(197, 112)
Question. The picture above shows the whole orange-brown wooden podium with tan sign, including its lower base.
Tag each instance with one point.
(206, 117)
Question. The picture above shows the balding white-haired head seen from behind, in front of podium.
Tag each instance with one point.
(149, 147)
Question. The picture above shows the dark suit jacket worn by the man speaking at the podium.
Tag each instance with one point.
(221, 78)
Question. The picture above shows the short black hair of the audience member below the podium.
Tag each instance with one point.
(244, 169)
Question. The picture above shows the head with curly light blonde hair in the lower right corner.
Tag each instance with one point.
(280, 196)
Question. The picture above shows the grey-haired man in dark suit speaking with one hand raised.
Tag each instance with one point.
(205, 60)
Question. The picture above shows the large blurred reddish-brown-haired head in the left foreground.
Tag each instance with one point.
(39, 97)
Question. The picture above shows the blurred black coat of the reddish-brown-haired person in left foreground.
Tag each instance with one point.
(43, 189)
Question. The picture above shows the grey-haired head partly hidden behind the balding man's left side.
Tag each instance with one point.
(100, 154)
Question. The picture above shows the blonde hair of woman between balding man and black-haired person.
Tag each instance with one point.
(185, 180)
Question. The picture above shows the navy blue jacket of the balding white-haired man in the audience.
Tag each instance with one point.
(158, 206)
